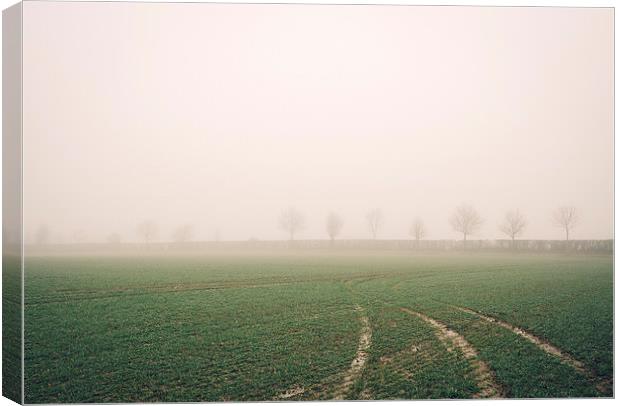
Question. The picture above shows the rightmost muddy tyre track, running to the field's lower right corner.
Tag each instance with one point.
(604, 386)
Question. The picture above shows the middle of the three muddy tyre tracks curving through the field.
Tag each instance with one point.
(483, 375)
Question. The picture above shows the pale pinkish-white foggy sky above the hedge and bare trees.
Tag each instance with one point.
(223, 115)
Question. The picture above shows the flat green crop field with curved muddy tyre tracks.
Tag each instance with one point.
(317, 325)
